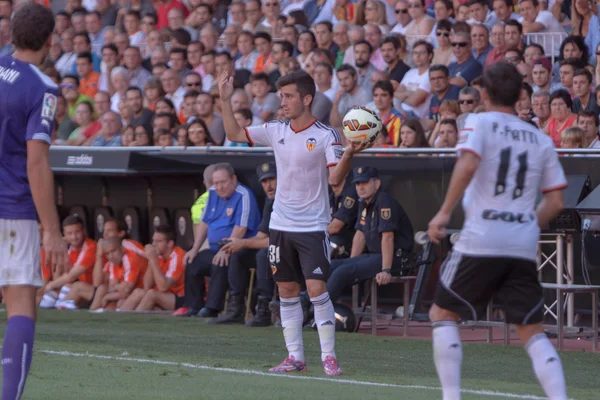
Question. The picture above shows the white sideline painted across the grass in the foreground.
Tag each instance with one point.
(289, 376)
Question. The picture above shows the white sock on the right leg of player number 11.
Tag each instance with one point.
(547, 366)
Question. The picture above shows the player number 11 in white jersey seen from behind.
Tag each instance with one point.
(503, 164)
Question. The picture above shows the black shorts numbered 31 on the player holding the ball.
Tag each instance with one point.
(297, 256)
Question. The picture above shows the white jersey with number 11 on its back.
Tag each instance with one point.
(517, 160)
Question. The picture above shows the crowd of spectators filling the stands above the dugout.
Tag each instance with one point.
(143, 73)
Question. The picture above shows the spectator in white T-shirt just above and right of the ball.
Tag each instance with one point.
(415, 89)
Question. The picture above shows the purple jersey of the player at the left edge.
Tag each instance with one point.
(28, 102)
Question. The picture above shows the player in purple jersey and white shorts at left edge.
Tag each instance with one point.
(28, 101)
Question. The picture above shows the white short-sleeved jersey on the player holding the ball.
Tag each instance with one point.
(302, 158)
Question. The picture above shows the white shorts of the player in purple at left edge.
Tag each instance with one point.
(20, 253)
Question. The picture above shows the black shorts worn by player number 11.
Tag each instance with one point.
(467, 284)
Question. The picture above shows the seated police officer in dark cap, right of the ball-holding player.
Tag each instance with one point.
(383, 238)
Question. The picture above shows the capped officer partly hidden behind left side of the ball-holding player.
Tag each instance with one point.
(267, 176)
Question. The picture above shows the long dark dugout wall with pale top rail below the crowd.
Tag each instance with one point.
(146, 183)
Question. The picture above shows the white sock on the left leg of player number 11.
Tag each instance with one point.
(447, 354)
